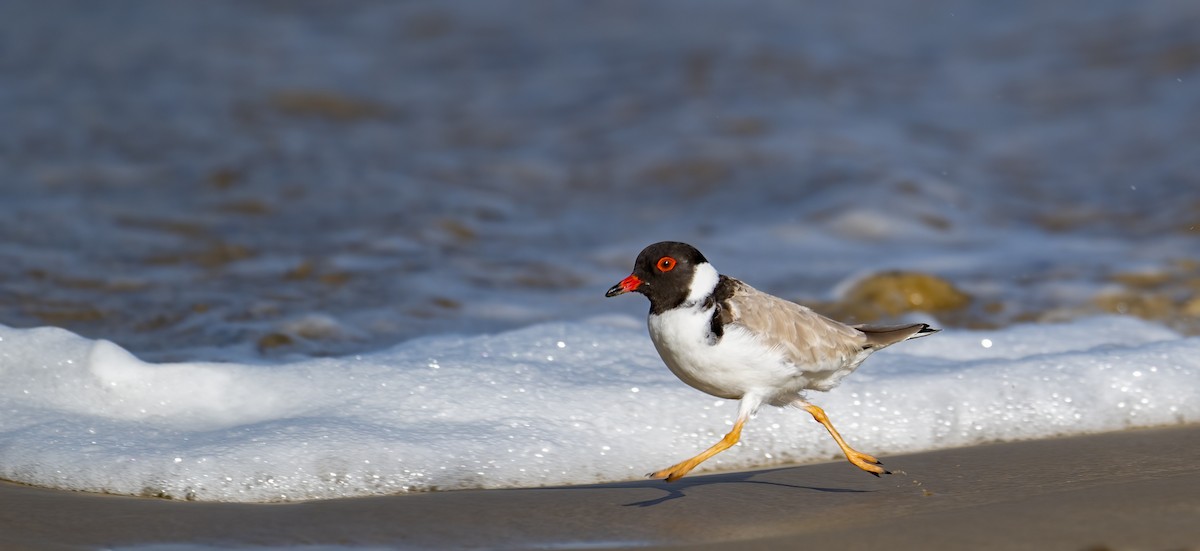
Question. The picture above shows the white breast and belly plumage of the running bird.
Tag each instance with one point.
(730, 368)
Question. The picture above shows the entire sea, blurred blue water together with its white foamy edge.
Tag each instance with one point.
(261, 251)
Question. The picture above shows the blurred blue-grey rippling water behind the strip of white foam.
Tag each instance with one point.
(268, 179)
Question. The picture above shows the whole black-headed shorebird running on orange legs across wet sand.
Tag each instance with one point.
(730, 340)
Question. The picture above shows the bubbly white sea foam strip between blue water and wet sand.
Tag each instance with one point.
(548, 405)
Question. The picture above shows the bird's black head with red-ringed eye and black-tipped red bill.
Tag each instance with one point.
(664, 273)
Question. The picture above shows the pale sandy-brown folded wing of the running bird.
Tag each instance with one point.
(808, 339)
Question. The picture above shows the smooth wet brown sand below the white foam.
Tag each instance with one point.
(1132, 490)
